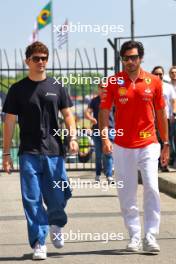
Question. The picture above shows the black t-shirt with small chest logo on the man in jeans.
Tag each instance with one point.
(37, 103)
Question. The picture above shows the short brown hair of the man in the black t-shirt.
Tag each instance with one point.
(35, 47)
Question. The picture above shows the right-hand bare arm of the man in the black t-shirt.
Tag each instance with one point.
(71, 126)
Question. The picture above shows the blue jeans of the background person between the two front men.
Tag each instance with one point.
(102, 160)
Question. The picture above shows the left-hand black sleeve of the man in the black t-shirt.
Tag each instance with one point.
(10, 104)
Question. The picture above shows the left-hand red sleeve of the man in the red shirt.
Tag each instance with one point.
(107, 96)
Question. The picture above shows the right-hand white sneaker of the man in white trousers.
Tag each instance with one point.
(150, 244)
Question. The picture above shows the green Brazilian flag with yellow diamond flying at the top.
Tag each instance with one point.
(45, 16)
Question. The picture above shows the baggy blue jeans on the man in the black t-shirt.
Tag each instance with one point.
(41, 176)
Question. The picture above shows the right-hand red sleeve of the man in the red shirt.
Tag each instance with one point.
(159, 102)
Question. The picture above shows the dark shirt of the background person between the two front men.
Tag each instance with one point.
(94, 105)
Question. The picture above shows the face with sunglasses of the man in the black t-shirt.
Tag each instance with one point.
(37, 62)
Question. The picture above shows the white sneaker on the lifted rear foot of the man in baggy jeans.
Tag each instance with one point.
(56, 236)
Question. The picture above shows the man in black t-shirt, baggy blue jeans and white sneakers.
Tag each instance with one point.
(36, 100)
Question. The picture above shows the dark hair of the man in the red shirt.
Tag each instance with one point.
(131, 45)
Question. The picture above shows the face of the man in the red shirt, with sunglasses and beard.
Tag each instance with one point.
(131, 61)
